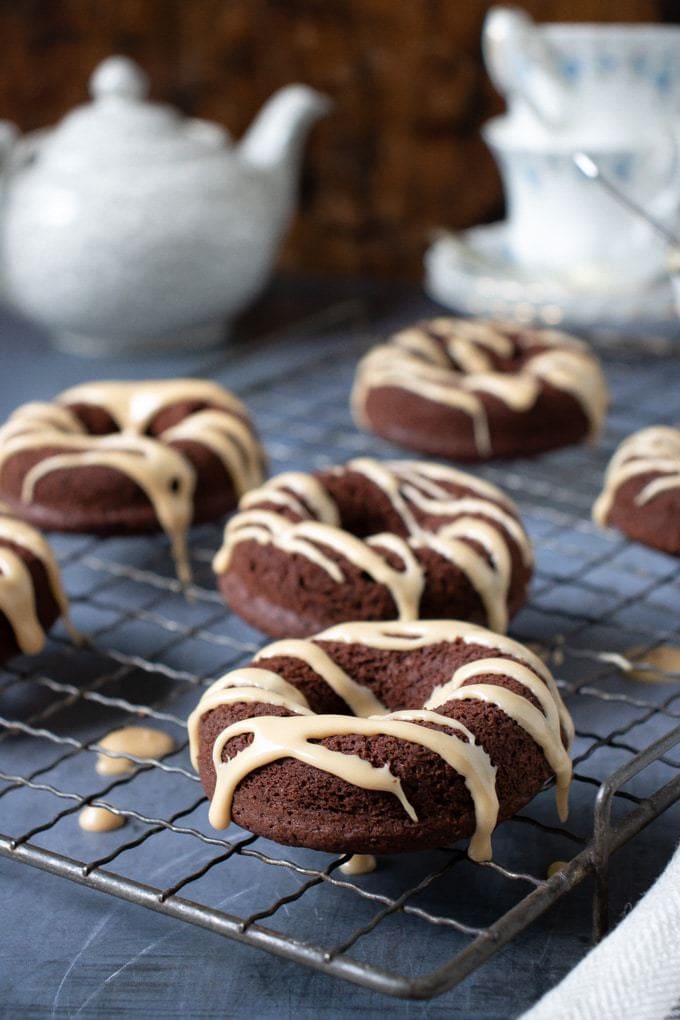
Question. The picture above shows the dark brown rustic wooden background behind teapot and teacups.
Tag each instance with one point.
(401, 154)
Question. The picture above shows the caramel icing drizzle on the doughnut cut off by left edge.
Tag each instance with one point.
(18, 599)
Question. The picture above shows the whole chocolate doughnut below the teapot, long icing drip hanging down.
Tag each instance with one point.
(115, 458)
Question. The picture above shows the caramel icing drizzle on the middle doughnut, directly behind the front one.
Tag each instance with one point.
(407, 485)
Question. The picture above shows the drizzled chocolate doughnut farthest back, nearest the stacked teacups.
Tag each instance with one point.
(472, 390)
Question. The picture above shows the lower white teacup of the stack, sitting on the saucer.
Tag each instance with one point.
(560, 221)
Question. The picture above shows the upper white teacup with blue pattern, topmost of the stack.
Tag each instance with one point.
(585, 78)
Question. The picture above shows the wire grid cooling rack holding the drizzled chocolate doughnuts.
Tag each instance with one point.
(151, 651)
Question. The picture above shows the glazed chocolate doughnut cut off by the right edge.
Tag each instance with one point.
(642, 493)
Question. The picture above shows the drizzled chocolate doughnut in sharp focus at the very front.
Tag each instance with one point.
(383, 738)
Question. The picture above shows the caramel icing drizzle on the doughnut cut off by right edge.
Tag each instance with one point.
(654, 450)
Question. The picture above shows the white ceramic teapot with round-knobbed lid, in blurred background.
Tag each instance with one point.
(129, 227)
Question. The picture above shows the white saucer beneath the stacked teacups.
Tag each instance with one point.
(474, 273)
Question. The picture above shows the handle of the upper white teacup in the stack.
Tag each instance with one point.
(522, 66)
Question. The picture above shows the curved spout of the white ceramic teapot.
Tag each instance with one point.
(276, 139)
